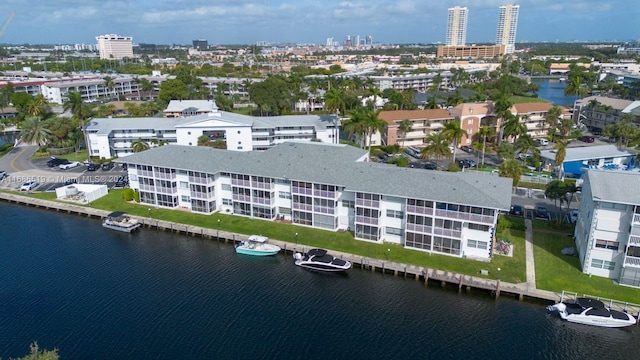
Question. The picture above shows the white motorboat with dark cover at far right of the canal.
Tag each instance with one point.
(592, 312)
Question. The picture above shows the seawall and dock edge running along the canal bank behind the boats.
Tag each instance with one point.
(428, 276)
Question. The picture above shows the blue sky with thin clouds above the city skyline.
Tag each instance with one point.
(311, 21)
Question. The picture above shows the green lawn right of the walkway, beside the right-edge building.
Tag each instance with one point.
(557, 272)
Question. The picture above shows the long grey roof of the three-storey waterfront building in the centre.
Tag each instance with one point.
(340, 165)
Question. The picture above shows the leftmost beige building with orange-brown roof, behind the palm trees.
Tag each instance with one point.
(423, 123)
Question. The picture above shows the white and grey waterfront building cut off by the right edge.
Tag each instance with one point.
(607, 231)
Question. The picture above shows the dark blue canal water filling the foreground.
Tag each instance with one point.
(99, 294)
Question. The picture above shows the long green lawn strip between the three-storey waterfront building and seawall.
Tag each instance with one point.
(512, 268)
